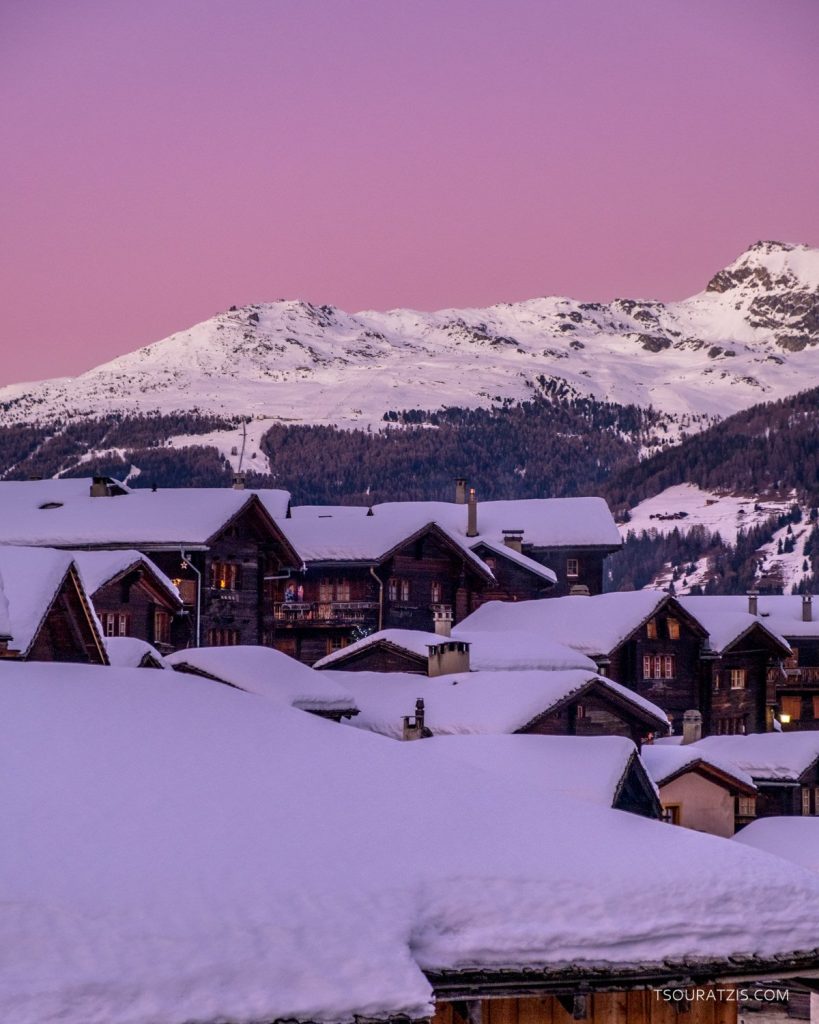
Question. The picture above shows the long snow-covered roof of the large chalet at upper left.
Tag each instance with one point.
(62, 515)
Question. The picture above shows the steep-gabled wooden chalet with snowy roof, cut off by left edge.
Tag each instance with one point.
(48, 614)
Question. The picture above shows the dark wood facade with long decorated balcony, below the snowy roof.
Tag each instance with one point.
(335, 604)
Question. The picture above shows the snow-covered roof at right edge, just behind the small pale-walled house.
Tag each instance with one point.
(766, 756)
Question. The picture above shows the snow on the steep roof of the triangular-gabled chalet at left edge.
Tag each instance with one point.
(30, 579)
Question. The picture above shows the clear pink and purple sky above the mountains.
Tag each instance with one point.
(166, 159)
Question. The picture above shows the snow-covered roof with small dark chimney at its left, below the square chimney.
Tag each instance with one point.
(473, 702)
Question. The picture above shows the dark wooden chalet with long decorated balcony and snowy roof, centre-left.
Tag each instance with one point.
(368, 573)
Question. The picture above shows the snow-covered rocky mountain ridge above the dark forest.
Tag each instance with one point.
(752, 335)
